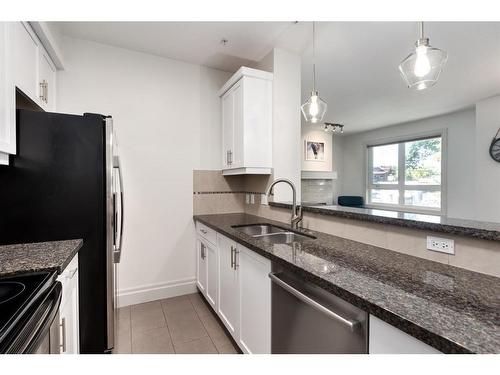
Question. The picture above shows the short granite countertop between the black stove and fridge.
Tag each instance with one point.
(39, 256)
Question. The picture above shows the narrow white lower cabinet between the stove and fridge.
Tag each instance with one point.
(68, 312)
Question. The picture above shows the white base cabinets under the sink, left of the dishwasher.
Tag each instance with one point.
(234, 280)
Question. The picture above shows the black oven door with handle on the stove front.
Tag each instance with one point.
(40, 332)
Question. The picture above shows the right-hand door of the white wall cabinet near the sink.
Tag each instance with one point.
(238, 148)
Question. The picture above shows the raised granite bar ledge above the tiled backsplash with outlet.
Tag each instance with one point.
(470, 228)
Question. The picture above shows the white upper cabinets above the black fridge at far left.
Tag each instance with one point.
(25, 64)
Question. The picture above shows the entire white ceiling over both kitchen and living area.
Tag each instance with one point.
(356, 61)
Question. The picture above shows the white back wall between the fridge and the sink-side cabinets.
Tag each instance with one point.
(167, 118)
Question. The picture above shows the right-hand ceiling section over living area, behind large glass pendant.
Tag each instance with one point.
(357, 70)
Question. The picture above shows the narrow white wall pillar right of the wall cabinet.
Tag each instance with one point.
(286, 119)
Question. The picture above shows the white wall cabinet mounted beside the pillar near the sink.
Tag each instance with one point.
(247, 122)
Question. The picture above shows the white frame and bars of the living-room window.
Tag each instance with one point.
(400, 185)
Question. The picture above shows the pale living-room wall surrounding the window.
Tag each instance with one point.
(460, 157)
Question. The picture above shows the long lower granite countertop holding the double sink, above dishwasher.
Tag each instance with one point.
(452, 309)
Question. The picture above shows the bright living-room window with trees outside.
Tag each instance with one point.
(406, 175)
